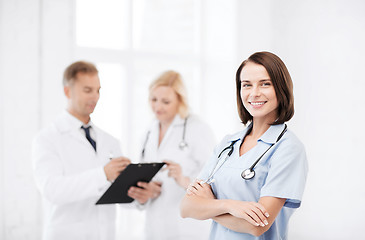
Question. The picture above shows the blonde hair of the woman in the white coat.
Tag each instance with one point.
(173, 79)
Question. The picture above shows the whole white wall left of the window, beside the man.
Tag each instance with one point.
(31, 68)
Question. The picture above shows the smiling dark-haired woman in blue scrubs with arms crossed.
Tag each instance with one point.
(257, 207)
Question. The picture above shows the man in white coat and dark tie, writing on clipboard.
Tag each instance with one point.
(72, 167)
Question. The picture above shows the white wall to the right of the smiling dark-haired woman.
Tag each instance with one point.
(323, 44)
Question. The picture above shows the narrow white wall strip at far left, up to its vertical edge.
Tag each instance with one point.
(20, 119)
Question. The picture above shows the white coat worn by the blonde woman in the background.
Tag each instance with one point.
(163, 220)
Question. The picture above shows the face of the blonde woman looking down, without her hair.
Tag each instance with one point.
(164, 103)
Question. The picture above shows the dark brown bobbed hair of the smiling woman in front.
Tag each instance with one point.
(281, 80)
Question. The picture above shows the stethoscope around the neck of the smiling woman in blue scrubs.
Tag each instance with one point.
(248, 173)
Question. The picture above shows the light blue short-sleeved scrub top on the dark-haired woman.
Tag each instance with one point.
(281, 173)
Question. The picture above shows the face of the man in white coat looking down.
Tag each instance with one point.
(83, 95)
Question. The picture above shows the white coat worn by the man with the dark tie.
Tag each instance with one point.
(70, 176)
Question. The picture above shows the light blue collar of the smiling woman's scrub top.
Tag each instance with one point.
(270, 136)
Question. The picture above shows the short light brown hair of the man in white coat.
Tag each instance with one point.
(75, 68)
